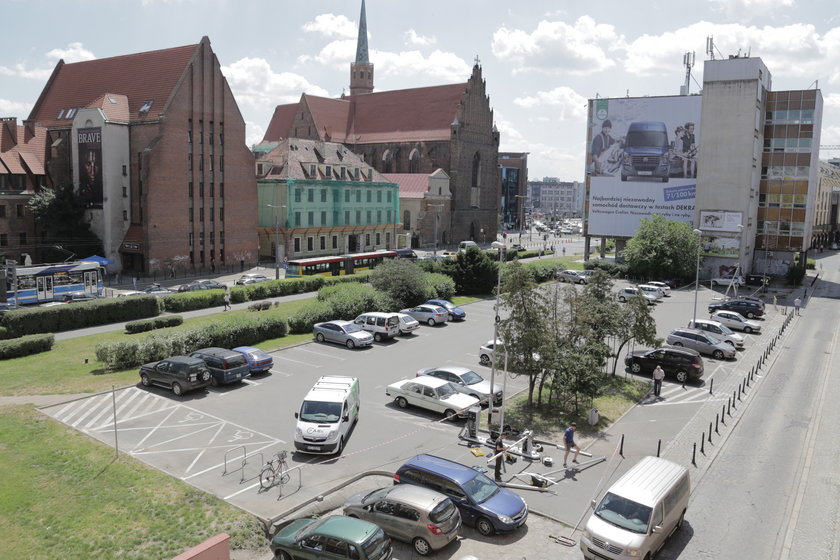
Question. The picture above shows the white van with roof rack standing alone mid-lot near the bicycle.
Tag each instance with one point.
(326, 415)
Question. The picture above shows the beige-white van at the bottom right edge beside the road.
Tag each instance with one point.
(639, 512)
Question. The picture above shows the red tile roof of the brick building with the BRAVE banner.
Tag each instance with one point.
(141, 77)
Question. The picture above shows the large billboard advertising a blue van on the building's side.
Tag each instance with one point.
(641, 159)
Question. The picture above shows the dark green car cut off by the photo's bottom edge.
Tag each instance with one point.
(331, 537)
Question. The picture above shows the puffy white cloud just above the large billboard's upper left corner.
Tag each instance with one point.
(555, 46)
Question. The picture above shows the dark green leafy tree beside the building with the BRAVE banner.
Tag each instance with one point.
(60, 216)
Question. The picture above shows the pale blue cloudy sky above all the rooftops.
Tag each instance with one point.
(541, 59)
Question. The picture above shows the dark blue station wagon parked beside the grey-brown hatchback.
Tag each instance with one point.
(482, 502)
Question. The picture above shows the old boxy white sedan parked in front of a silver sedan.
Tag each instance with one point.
(432, 394)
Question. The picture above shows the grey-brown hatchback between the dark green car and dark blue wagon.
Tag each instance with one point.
(420, 516)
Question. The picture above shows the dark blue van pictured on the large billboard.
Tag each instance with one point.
(647, 152)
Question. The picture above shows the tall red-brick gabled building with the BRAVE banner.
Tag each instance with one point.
(155, 144)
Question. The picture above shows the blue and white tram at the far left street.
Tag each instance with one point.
(50, 282)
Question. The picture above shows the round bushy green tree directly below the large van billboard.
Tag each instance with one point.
(662, 249)
